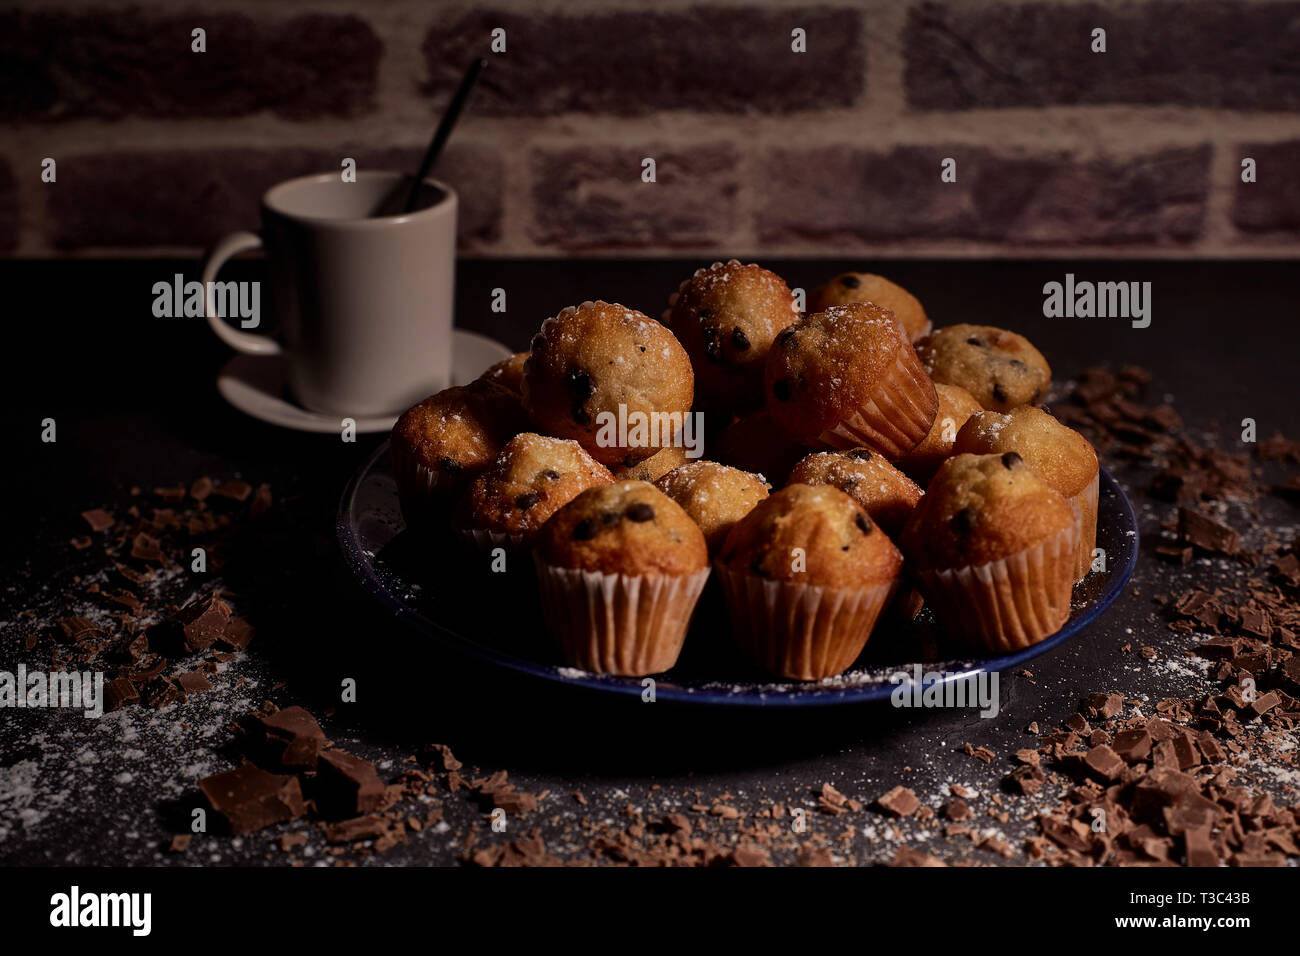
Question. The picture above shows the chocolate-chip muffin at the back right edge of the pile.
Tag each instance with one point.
(999, 369)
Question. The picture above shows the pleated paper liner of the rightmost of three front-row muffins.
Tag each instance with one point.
(1011, 604)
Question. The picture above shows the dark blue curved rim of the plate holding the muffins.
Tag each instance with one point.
(363, 570)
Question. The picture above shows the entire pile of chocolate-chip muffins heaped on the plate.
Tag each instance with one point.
(565, 452)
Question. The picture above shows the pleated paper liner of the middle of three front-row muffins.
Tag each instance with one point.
(800, 631)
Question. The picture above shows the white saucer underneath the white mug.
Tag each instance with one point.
(255, 386)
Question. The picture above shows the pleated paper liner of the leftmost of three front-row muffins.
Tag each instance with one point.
(612, 624)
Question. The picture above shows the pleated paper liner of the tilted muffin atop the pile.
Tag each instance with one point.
(896, 418)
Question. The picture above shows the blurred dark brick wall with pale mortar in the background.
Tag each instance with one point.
(759, 150)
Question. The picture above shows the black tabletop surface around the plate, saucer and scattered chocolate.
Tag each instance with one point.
(136, 404)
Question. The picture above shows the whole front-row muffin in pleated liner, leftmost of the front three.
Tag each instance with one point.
(621, 570)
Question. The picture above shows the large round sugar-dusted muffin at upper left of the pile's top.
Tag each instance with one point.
(612, 379)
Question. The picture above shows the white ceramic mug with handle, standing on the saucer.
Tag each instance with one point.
(362, 295)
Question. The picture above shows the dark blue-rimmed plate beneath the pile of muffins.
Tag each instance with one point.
(436, 589)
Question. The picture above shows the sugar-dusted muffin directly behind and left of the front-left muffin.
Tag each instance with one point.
(532, 479)
